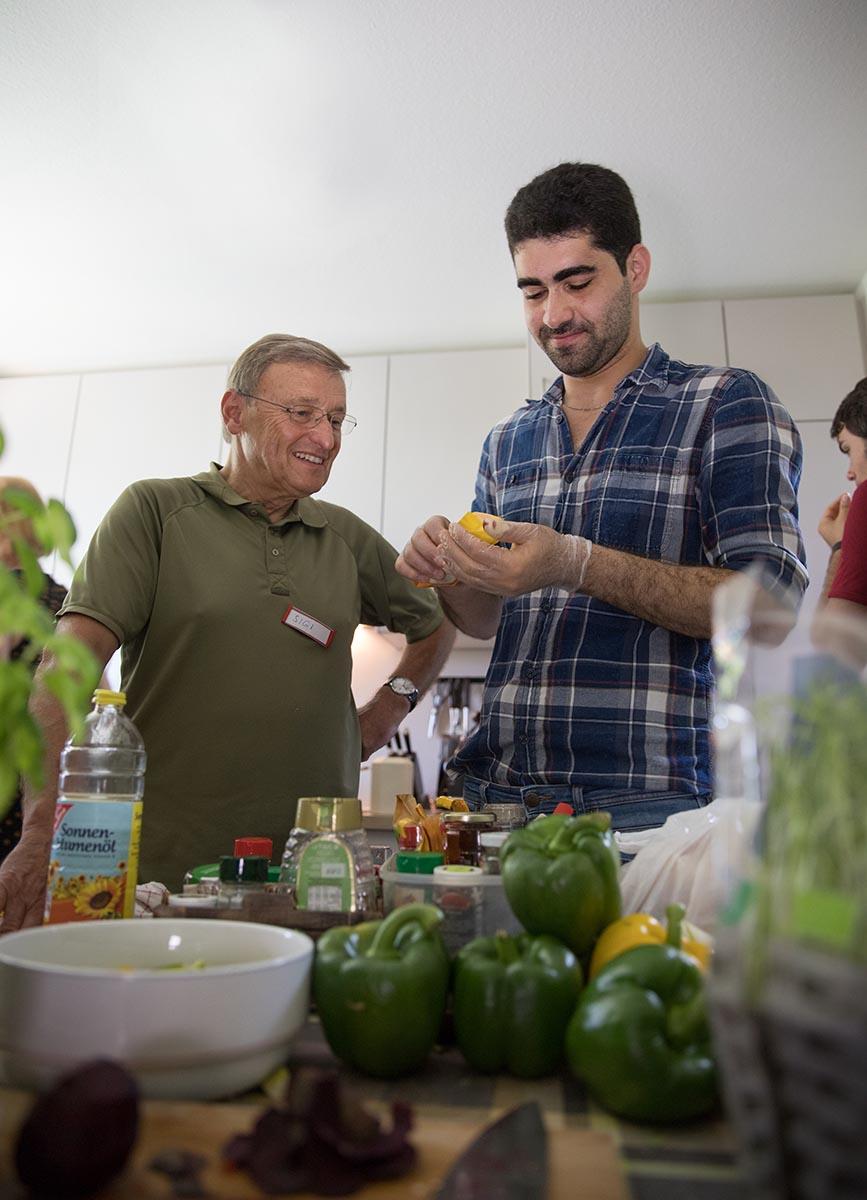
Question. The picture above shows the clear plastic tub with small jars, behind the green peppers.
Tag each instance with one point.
(474, 904)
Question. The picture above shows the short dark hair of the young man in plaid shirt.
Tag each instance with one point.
(577, 197)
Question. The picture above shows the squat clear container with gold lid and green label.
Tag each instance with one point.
(327, 863)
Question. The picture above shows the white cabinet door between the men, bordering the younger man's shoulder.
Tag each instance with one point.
(440, 409)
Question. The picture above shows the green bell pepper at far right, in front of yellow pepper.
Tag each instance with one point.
(641, 1039)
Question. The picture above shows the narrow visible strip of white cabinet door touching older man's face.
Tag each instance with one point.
(357, 475)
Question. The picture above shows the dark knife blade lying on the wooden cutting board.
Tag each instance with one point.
(509, 1161)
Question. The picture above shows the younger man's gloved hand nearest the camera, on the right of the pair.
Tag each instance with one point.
(539, 557)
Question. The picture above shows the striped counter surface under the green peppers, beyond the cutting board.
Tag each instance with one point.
(692, 1162)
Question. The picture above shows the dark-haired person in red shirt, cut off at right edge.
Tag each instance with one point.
(844, 524)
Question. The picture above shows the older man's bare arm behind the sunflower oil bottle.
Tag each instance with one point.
(25, 873)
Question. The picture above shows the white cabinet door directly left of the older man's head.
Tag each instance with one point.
(140, 425)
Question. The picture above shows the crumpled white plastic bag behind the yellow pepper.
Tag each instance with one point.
(692, 860)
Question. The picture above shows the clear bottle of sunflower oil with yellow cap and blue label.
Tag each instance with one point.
(98, 818)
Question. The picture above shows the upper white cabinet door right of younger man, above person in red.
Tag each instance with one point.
(808, 349)
